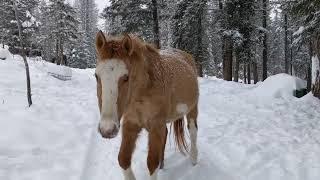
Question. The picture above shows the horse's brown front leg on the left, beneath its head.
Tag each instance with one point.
(129, 136)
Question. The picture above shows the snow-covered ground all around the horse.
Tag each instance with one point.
(246, 132)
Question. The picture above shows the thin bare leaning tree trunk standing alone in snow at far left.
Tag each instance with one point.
(23, 53)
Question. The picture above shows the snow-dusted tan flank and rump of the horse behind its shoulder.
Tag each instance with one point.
(181, 73)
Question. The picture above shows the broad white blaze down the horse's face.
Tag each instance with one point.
(110, 72)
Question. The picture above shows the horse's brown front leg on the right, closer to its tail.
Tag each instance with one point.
(156, 141)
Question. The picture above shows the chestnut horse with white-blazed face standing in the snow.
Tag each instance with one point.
(145, 88)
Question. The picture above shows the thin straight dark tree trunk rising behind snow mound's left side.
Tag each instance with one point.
(265, 42)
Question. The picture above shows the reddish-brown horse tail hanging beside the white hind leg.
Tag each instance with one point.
(179, 135)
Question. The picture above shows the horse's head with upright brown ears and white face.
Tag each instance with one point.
(112, 74)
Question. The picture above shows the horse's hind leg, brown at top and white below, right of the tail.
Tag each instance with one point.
(193, 131)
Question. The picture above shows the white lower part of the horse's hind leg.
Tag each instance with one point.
(193, 136)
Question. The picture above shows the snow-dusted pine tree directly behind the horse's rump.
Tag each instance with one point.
(189, 32)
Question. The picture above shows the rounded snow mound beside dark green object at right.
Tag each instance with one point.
(280, 85)
